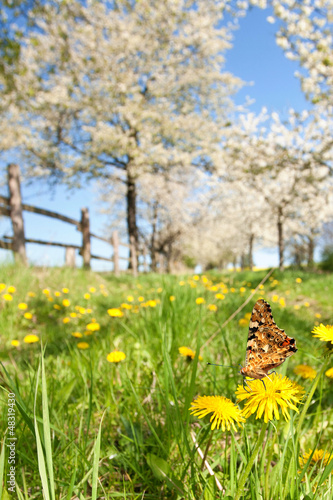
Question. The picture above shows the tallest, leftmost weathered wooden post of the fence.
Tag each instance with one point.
(15, 204)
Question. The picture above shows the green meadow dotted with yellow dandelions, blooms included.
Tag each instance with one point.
(98, 375)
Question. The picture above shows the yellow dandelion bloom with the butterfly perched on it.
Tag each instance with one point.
(278, 392)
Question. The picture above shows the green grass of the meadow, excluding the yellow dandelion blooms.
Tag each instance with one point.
(146, 397)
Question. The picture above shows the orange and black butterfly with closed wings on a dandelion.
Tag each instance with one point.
(267, 345)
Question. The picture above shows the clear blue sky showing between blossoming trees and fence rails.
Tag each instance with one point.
(255, 58)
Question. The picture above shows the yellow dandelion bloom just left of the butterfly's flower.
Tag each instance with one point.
(225, 413)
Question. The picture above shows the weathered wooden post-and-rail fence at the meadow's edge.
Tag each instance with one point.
(13, 207)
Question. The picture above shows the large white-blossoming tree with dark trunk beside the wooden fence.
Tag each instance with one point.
(124, 91)
